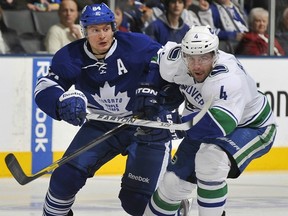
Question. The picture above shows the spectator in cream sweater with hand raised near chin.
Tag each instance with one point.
(66, 31)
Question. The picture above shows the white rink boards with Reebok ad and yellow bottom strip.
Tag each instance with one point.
(37, 140)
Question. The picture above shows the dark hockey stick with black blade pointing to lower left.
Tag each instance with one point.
(18, 173)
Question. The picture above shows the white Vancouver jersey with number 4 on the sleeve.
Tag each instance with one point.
(232, 90)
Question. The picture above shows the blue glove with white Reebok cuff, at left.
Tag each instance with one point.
(71, 106)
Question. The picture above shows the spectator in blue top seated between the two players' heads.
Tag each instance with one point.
(169, 26)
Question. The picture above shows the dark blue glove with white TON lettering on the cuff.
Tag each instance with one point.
(146, 102)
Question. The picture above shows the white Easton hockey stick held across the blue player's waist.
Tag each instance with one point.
(153, 124)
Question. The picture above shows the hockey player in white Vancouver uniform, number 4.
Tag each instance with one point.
(238, 127)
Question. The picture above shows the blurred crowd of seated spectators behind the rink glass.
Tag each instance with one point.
(44, 26)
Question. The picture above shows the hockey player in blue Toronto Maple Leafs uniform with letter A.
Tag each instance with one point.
(106, 68)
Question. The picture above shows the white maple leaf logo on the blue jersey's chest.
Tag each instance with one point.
(110, 101)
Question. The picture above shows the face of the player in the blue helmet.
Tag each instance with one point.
(100, 37)
